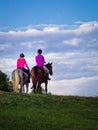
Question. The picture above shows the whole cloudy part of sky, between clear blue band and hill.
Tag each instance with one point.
(72, 50)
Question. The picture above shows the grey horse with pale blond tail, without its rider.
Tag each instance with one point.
(19, 77)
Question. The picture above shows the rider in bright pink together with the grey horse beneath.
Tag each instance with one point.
(21, 75)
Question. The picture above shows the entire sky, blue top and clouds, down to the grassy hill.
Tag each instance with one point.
(66, 31)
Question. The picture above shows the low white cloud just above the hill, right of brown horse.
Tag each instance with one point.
(76, 87)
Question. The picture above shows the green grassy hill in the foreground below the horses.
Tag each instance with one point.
(47, 112)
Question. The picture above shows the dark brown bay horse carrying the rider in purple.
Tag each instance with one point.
(39, 76)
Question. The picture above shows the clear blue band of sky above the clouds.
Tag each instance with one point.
(18, 13)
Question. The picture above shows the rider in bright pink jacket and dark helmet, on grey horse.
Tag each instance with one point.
(21, 64)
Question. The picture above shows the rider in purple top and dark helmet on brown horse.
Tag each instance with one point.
(40, 61)
